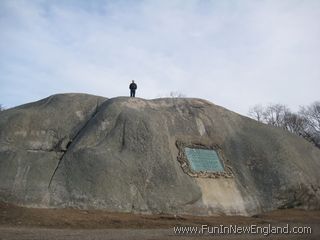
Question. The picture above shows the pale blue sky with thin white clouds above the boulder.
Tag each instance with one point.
(233, 53)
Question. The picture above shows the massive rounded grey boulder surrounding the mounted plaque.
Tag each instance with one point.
(120, 154)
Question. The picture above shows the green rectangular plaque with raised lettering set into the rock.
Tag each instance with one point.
(203, 160)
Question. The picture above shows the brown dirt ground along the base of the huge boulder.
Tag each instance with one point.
(30, 223)
